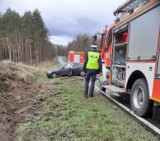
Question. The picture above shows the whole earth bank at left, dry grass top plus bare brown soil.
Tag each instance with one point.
(17, 97)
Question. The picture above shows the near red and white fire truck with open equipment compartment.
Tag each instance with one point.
(130, 52)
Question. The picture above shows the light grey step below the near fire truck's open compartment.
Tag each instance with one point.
(114, 88)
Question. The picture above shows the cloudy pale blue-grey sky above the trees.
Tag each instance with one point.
(67, 18)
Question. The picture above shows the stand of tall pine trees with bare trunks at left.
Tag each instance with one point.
(24, 38)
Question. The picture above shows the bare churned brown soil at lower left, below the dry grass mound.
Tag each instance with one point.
(15, 105)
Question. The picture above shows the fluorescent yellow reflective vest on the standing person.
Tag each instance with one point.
(92, 60)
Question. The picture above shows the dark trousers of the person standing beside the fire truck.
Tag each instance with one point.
(93, 76)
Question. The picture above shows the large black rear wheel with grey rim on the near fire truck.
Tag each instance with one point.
(140, 102)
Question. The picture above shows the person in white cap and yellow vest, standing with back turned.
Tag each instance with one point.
(92, 67)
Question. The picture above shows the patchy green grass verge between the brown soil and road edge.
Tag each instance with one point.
(66, 115)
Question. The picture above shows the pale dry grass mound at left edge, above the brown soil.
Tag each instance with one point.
(12, 73)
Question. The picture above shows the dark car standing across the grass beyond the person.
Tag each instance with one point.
(69, 69)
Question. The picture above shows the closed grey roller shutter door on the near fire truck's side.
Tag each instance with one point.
(144, 36)
